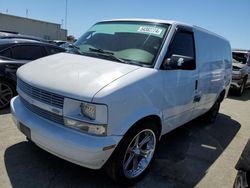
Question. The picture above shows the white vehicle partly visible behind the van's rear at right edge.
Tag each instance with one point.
(241, 71)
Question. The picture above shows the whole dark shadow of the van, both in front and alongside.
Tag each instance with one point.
(182, 160)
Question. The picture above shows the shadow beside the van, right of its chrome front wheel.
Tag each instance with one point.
(185, 154)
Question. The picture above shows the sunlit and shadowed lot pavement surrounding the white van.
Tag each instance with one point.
(194, 155)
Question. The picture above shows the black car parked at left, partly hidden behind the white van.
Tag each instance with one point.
(13, 54)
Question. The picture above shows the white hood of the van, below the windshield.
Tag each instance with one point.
(73, 76)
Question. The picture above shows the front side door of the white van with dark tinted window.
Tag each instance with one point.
(180, 85)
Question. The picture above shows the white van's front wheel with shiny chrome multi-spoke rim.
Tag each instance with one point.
(131, 159)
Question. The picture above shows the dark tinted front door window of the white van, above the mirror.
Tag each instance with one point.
(183, 44)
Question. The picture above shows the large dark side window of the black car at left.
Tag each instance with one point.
(27, 52)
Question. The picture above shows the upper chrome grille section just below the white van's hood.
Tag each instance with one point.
(41, 95)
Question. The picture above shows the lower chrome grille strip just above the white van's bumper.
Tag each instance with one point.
(43, 113)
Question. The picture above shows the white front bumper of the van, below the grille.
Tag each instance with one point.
(66, 143)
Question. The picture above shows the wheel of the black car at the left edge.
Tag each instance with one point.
(7, 91)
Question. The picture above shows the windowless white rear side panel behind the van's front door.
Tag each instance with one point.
(214, 64)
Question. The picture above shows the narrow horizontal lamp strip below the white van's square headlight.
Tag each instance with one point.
(86, 127)
